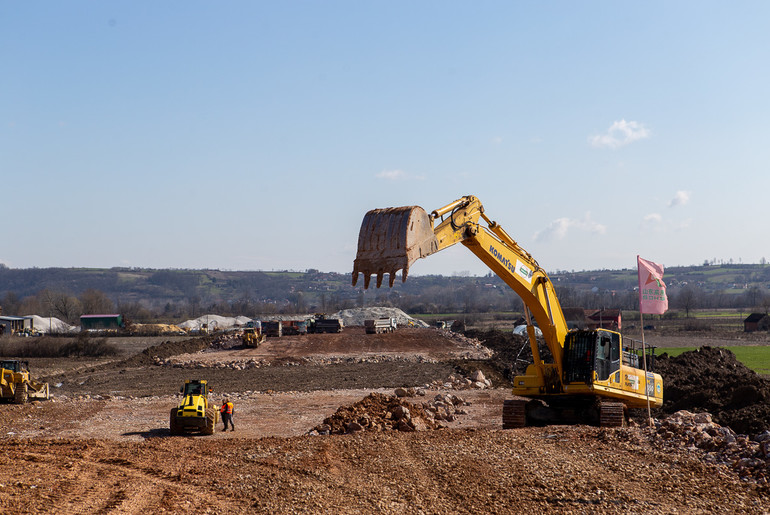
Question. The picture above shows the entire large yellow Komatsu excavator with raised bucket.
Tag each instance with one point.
(591, 376)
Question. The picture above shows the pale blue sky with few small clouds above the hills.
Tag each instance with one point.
(256, 135)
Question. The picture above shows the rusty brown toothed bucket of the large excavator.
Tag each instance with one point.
(392, 239)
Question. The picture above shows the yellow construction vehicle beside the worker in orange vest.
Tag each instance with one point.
(196, 412)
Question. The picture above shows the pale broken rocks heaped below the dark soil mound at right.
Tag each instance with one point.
(719, 445)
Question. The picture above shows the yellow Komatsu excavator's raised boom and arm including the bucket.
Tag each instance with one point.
(393, 239)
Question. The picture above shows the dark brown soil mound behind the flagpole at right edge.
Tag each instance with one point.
(713, 380)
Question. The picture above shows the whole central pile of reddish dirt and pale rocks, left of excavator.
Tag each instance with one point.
(380, 412)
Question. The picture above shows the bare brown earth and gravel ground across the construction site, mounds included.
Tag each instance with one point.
(102, 443)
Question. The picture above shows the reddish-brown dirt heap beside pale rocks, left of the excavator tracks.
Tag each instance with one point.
(377, 412)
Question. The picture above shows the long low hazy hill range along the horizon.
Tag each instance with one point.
(183, 292)
